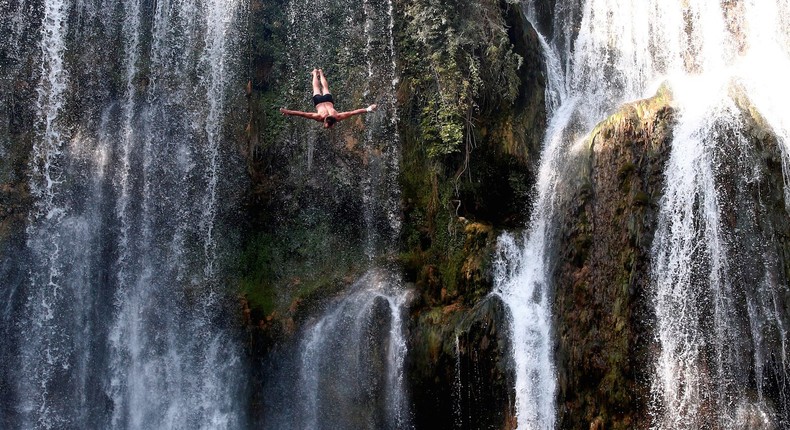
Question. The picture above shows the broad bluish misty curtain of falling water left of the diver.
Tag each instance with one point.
(120, 321)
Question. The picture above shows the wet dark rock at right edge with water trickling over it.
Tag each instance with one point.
(752, 194)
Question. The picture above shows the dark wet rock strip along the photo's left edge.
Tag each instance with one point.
(18, 69)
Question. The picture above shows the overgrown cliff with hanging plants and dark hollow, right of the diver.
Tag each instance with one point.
(464, 91)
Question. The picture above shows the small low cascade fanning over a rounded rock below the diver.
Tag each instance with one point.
(352, 359)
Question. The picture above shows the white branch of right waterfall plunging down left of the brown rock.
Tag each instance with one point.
(612, 52)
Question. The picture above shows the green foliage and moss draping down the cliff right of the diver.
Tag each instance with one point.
(459, 66)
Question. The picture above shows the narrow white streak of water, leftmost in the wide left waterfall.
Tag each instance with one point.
(44, 236)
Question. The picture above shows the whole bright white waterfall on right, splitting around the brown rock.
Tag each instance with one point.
(715, 334)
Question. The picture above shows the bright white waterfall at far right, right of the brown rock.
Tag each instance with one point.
(719, 281)
